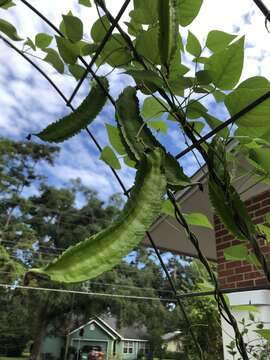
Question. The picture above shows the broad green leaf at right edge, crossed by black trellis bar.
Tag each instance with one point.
(255, 122)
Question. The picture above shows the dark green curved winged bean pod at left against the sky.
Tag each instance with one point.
(71, 124)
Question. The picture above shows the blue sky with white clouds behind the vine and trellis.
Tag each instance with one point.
(28, 103)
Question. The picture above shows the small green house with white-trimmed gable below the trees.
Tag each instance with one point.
(128, 343)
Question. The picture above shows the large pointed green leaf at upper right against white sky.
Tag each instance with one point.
(226, 65)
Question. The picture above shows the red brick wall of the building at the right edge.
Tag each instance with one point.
(235, 274)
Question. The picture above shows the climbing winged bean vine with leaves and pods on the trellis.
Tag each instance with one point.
(150, 51)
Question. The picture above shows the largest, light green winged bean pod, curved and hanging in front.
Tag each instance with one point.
(104, 250)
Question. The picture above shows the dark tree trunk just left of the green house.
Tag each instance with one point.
(39, 333)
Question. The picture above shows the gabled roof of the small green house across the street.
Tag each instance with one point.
(109, 325)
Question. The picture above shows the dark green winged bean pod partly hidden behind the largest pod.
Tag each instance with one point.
(137, 137)
